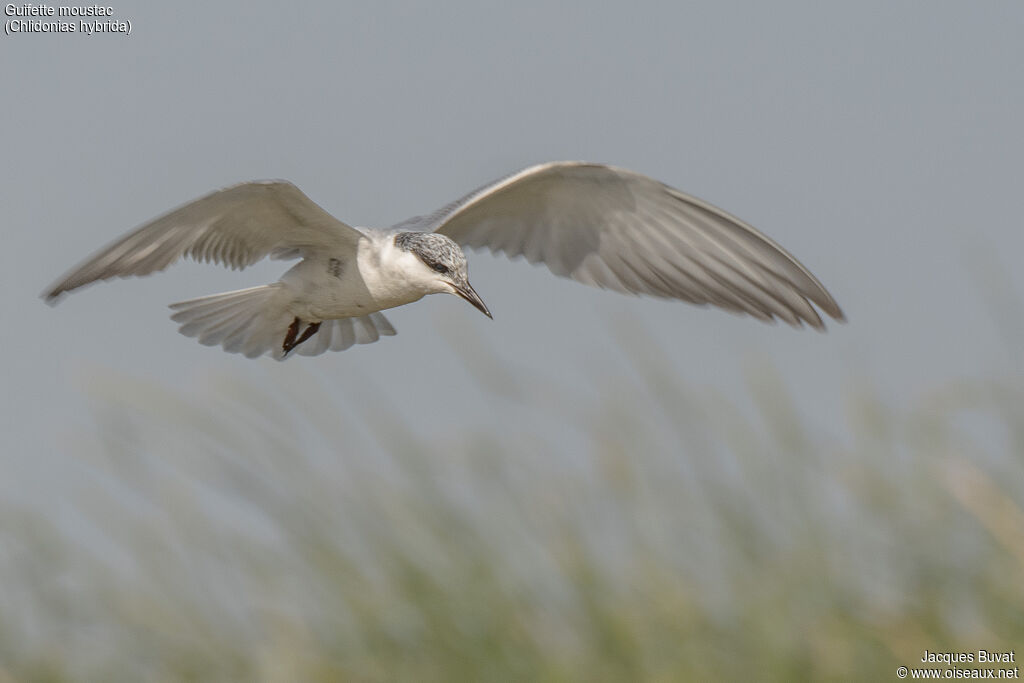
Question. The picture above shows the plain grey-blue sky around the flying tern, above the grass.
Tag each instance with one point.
(881, 143)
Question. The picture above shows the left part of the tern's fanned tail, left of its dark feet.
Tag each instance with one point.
(250, 322)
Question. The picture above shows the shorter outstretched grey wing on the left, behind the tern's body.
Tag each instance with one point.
(235, 227)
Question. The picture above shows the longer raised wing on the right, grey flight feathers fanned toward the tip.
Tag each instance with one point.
(614, 229)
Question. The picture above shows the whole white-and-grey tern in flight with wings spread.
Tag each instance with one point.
(602, 226)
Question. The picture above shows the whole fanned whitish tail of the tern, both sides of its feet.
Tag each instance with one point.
(255, 322)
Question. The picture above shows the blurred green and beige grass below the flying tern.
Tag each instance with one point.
(249, 534)
